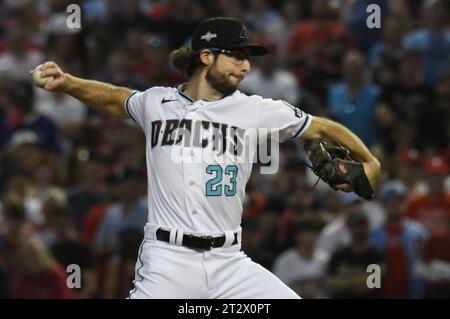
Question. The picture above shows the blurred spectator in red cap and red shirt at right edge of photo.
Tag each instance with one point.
(433, 208)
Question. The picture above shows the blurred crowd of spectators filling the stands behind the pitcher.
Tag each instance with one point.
(73, 182)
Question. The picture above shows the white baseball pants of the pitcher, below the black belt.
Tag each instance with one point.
(171, 271)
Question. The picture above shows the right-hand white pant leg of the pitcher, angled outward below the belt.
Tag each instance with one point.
(238, 277)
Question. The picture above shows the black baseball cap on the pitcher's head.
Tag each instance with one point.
(224, 33)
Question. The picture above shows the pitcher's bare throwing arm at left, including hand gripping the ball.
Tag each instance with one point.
(104, 97)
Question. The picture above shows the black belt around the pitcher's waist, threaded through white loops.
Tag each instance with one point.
(196, 242)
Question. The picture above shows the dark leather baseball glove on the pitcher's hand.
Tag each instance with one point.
(335, 166)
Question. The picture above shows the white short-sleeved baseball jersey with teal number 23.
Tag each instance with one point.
(186, 191)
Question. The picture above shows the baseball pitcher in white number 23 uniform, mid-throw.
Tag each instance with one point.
(197, 136)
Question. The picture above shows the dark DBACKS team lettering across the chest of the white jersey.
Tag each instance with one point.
(220, 137)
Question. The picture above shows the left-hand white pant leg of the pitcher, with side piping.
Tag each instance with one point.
(165, 271)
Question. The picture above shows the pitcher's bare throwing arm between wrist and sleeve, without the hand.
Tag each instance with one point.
(104, 97)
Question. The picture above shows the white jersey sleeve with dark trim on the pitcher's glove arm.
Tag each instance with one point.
(283, 118)
